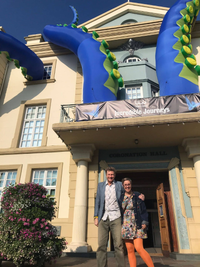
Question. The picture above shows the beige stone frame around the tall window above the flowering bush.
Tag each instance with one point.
(19, 126)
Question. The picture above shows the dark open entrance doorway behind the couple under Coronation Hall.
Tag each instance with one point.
(147, 183)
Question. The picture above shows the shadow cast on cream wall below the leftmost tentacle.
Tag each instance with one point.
(27, 93)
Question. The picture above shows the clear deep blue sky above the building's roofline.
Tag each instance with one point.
(21, 18)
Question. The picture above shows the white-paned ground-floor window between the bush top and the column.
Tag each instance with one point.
(47, 178)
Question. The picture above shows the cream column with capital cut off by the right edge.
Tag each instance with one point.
(192, 146)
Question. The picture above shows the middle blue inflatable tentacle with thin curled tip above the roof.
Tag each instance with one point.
(101, 77)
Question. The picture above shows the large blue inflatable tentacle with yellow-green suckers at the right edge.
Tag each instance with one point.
(176, 66)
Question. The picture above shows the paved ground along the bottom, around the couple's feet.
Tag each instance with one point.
(87, 262)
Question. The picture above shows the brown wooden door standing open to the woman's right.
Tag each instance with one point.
(163, 222)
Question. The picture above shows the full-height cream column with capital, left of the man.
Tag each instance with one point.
(82, 154)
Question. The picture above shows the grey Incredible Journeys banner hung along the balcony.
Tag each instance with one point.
(138, 107)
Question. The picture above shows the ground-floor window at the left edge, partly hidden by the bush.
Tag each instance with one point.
(6, 178)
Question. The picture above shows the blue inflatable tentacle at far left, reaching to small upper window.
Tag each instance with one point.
(31, 66)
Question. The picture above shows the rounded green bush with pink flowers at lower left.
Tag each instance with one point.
(26, 234)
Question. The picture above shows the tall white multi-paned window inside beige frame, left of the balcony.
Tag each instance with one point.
(33, 126)
